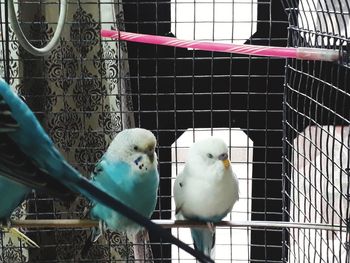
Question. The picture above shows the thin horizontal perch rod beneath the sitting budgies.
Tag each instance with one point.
(83, 223)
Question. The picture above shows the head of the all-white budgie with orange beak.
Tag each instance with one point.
(210, 152)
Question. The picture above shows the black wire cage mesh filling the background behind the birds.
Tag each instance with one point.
(285, 121)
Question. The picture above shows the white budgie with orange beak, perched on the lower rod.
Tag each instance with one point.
(206, 190)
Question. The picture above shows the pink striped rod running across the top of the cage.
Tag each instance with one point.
(254, 50)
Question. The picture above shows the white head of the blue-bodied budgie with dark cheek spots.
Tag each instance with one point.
(133, 145)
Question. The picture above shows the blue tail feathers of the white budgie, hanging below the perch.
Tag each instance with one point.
(203, 240)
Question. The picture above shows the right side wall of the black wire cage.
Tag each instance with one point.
(317, 134)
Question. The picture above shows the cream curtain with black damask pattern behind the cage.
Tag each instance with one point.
(80, 93)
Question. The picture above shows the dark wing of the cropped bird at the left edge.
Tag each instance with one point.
(16, 165)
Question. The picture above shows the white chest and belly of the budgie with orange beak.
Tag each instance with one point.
(208, 200)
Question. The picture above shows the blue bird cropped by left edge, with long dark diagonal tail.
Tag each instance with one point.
(29, 157)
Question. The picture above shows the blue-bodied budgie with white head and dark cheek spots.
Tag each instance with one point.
(127, 171)
